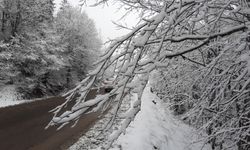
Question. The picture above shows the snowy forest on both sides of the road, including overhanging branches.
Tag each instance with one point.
(194, 53)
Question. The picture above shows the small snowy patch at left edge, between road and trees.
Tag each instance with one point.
(9, 96)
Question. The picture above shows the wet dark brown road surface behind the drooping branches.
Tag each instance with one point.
(22, 126)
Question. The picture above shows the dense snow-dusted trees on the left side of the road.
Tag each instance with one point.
(44, 53)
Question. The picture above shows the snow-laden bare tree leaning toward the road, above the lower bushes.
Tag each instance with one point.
(168, 29)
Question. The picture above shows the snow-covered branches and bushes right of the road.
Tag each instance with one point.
(199, 53)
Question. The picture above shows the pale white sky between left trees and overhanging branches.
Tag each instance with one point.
(103, 17)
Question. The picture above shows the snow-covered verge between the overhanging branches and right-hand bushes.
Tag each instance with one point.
(153, 128)
